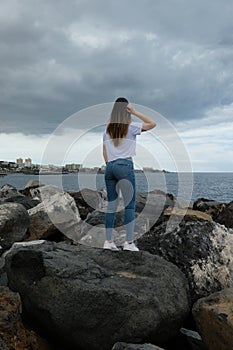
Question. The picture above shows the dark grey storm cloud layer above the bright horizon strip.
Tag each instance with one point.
(58, 57)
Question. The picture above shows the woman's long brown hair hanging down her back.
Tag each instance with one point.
(119, 121)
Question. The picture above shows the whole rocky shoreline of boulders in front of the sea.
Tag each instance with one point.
(59, 288)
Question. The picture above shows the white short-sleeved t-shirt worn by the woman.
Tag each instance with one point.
(127, 147)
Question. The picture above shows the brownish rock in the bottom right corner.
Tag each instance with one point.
(214, 319)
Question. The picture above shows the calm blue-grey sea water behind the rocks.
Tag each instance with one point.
(189, 186)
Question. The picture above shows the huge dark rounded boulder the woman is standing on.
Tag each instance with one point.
(80, 294)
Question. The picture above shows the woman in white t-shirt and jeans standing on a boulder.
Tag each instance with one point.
(119, 143)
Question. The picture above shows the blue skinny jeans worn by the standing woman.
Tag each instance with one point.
(119, 174)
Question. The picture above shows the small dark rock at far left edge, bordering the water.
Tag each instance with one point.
(9, 193)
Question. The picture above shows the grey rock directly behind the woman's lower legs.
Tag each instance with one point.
(93, 229)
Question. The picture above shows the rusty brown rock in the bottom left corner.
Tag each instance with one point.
(13, 334)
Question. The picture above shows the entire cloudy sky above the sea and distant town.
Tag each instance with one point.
(175, 57)
